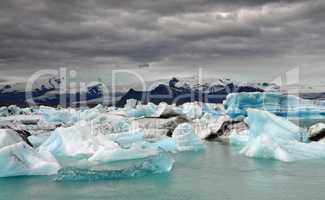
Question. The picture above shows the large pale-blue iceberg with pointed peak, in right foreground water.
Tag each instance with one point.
(273, 137)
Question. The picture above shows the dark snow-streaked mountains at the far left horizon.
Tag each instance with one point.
(46, 91)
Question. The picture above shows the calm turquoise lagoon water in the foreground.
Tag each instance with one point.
(217, 173)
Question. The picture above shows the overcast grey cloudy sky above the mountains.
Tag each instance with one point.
(241, 39)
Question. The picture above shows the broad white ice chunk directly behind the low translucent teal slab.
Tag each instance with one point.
(81, 142)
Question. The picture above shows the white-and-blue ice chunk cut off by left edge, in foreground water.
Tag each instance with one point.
(21, 159)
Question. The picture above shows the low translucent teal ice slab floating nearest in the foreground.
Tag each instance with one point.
(161, 163)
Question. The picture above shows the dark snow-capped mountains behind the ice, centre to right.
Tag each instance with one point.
(180, 92)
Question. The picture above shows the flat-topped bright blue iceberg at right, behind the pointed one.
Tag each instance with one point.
(289, 106)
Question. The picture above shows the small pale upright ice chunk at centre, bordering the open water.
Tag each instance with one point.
(185, 138)
